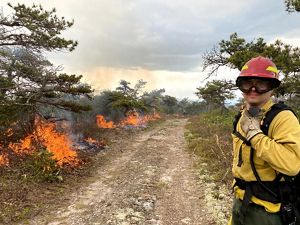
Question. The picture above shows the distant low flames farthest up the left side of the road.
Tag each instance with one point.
(132, 119)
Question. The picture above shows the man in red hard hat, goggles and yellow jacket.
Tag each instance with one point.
(258, 159)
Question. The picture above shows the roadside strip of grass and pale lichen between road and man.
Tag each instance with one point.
(209, 142)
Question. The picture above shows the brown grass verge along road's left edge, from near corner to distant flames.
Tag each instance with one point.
(24, 195)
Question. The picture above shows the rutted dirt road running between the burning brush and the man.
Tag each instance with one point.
(147, 179)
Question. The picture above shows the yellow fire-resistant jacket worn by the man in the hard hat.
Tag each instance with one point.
(277, 152)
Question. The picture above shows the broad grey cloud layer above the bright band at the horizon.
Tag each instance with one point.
(162, 35)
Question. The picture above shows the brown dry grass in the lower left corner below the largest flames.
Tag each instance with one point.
(23, 195)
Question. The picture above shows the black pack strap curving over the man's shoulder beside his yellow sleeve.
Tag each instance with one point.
(270, 115)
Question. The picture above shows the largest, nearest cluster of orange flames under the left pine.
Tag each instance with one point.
(45, 133)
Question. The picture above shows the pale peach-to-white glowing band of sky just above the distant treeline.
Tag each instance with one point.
(177, 84)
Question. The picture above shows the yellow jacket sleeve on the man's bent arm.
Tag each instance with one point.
(281, 148)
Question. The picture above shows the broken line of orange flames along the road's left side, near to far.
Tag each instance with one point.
(60, 143)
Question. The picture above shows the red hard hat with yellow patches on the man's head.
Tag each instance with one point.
(261, 68)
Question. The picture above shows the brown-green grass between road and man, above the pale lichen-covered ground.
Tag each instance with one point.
(209, 140)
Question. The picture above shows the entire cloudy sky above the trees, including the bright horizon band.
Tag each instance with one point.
(161, 41)
